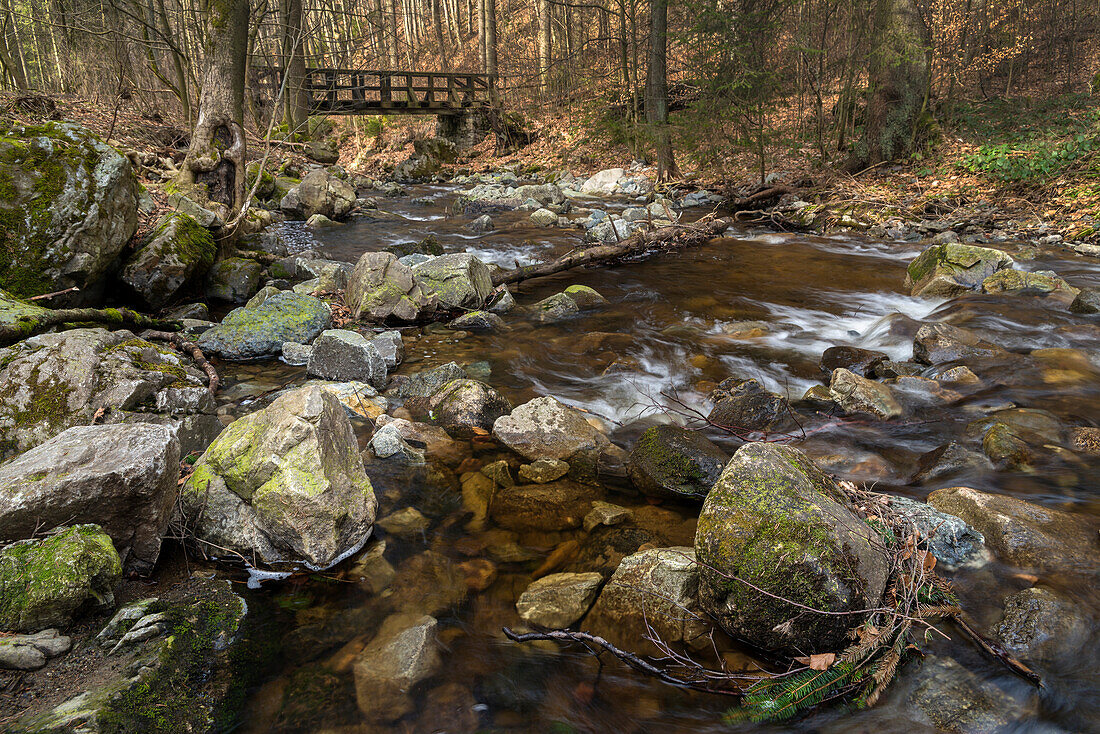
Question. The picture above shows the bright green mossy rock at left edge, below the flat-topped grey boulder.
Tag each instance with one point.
(48, 582)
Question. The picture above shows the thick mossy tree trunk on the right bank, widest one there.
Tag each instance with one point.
(898, 84)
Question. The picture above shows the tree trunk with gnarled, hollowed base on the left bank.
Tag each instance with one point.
(217, 155)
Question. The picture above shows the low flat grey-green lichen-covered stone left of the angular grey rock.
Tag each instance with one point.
(258, 333)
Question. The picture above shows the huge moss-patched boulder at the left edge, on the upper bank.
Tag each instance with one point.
(69, 211)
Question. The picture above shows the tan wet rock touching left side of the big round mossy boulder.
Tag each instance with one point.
(656, 588)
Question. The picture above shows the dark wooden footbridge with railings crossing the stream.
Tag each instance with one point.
(366, 92)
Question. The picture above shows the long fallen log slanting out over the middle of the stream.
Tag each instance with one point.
(666, 238)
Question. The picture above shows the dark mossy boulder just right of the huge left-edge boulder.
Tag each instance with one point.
(177, 254)
